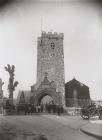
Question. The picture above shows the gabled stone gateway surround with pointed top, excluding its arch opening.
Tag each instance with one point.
(44, 89)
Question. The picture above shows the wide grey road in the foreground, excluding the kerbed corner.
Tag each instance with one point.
(50, 126)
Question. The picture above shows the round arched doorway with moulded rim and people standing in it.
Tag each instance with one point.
(47, 100)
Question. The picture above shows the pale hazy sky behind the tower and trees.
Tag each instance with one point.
(21, 23)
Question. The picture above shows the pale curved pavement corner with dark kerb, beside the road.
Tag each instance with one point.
(93, 128)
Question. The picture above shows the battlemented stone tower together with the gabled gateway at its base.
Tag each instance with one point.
(50, 68)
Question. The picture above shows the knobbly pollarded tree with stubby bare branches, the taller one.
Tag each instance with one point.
(12, 84)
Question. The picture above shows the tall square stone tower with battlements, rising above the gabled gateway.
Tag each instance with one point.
(50, 60)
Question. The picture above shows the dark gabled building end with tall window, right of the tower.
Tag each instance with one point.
(76, 94)
